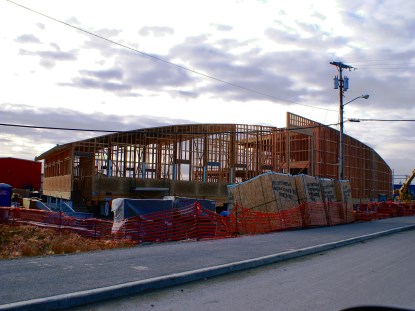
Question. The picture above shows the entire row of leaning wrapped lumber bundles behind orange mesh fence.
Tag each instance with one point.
(282, 201)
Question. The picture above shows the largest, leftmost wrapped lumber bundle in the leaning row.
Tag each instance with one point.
(269, 193)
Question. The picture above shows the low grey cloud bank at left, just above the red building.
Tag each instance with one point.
(29, 141)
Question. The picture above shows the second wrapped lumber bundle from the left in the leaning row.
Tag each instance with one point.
(311, 198)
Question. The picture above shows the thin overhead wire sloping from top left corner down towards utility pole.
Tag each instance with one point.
(166, 61)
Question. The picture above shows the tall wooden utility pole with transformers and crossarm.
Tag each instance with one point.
(342, 84)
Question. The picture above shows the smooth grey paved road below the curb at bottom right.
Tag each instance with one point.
(377, 272)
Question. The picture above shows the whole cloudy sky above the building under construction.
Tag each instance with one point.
(131, 64)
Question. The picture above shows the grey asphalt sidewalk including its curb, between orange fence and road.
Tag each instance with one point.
(58, 282)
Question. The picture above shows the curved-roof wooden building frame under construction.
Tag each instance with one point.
(200, 160)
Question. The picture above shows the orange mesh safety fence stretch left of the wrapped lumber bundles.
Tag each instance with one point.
(191, 222)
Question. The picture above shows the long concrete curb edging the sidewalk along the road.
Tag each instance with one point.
(116, 291)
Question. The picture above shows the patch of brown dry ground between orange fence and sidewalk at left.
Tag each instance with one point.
(26, 241)
